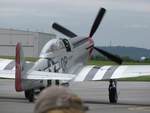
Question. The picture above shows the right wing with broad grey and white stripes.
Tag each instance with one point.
(112, 72)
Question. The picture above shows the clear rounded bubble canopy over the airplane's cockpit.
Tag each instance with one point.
(52, 46)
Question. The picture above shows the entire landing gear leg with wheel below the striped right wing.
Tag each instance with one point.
(113, 96)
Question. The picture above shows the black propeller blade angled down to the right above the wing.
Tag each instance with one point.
(110, 56)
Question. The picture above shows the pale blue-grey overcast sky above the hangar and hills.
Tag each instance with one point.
(126, 22)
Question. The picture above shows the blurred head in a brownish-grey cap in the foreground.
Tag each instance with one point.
(58, 100)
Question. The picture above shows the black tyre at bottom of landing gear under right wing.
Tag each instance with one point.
(113, 97)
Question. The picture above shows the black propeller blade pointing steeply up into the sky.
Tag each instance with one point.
(97, 21)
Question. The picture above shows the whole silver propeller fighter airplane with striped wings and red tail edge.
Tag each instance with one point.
(66, 59)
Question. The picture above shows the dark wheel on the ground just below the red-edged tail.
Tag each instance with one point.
(29, 94)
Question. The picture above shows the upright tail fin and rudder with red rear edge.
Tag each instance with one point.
(20, 63)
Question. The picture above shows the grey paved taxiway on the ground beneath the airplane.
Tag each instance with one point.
(134, 97)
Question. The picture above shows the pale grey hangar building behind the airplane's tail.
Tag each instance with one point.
(32, 42)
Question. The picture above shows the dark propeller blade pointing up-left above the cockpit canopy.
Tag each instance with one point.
(63, 30)
